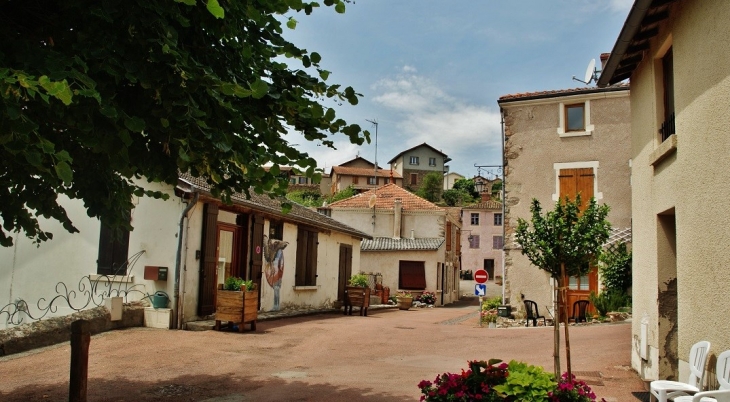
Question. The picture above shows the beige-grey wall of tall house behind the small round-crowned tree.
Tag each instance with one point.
(534, 153)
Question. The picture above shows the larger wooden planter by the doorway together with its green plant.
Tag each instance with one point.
(237, 301)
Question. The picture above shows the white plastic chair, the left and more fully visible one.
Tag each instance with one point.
(662, 390)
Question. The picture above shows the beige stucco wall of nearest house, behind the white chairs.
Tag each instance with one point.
(693, 181)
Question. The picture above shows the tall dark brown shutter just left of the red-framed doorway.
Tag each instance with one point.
(209, 262)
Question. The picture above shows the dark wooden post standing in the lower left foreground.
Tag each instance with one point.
(80, 340)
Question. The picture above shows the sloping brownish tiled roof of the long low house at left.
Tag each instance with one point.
(272, 206)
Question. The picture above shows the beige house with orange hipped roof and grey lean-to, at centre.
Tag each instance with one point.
(415, 244)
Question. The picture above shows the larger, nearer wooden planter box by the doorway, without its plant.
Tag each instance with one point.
(237, 307)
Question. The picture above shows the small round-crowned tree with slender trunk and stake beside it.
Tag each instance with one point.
(564, 242)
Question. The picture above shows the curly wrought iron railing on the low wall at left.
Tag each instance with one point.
(90, 292)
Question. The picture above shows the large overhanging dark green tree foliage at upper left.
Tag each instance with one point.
(97, 95)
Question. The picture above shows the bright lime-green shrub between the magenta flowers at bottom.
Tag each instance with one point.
(526, 383)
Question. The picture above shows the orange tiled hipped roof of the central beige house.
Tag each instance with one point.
(385, 197)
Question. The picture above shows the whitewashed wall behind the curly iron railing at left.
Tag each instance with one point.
(30, 273)
